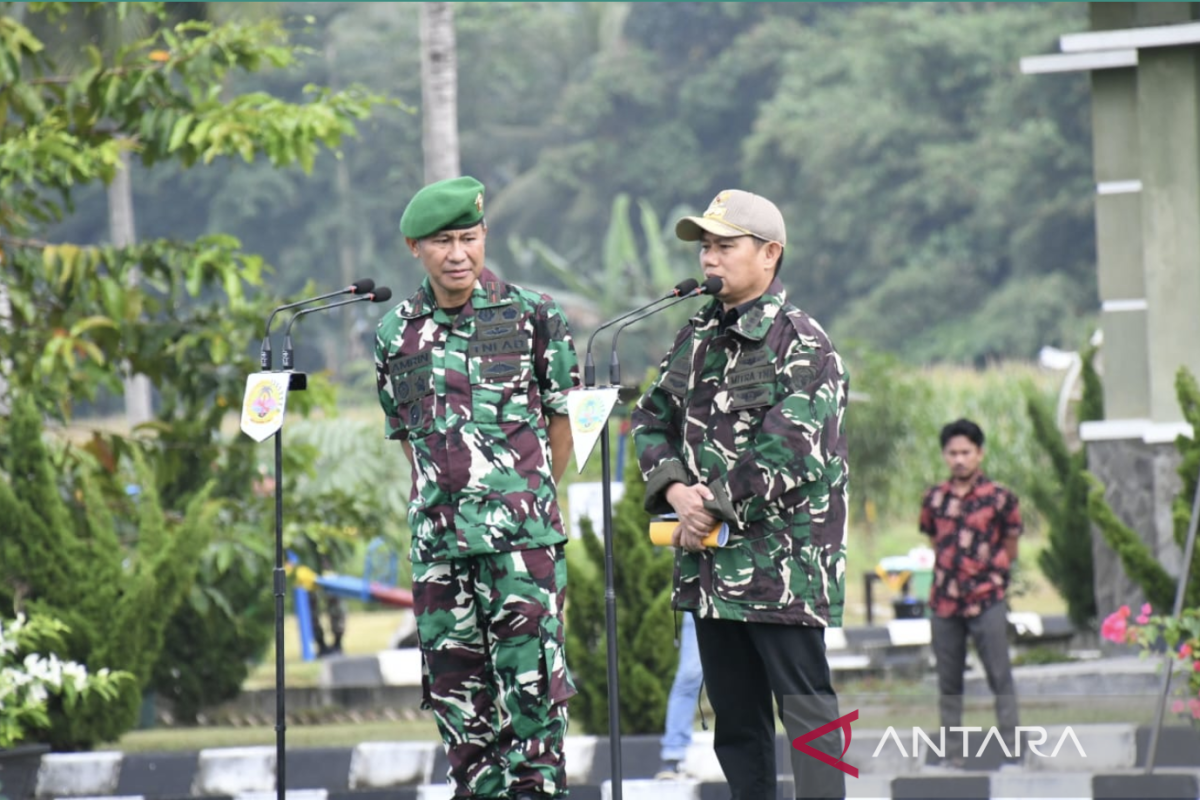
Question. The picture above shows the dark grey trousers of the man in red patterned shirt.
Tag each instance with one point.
(989, 631)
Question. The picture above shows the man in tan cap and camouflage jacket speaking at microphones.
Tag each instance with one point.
(746, 426)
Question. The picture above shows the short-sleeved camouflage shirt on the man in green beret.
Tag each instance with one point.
(472, 395)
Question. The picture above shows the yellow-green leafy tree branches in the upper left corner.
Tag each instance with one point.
(176, 311)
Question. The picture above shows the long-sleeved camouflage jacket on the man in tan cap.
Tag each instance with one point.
(758, 414)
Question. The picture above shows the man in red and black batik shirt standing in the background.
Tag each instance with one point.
(975, 525)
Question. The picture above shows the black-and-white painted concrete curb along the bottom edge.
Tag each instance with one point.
(415, 771)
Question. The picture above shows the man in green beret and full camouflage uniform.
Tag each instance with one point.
(473, 375)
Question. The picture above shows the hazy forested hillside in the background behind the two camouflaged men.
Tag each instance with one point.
(938, 202)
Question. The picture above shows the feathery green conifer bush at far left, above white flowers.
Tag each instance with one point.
(65, 561)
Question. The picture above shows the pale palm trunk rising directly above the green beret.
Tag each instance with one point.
(440, 93)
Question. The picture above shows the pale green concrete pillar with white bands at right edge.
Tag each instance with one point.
(1147, 141)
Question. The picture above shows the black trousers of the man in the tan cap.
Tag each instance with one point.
(747, 667)
